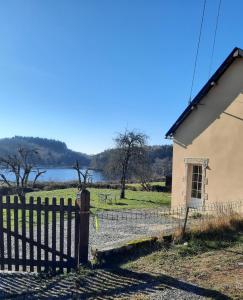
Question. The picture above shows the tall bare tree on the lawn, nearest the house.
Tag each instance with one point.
(130, 147)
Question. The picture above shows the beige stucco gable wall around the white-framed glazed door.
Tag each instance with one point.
(214, 130)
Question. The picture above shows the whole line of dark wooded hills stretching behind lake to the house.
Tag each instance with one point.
(53, 153)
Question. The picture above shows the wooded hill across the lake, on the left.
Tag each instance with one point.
(52, 153)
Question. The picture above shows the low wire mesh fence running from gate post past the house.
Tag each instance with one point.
(111, 228)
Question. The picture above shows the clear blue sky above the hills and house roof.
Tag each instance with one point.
(81, 71)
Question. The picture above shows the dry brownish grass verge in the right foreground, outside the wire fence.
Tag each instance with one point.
(211, 257)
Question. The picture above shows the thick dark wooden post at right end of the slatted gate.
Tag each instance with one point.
(83, 201)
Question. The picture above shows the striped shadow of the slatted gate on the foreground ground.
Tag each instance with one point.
(101, 284)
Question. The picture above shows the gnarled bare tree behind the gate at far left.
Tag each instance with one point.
(20, 165)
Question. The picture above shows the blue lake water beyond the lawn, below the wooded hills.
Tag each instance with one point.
(63, 174)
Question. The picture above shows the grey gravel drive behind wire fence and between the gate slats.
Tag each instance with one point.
(107, 230)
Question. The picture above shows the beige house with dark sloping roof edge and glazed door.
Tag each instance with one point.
(208, 140)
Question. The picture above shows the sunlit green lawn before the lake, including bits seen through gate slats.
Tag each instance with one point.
(134, 200)
